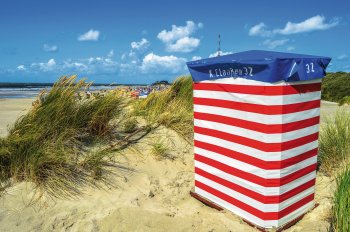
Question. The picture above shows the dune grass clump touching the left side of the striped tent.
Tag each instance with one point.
(172, 108)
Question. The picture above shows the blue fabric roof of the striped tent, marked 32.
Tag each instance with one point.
(265, 66)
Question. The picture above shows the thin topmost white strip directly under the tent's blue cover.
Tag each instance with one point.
(244, 81)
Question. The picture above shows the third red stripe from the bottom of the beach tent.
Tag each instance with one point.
(271, 182)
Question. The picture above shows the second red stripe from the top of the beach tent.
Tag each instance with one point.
(257, 108)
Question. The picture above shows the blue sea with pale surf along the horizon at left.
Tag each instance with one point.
(31, 90)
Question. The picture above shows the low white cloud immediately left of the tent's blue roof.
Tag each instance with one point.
(153, 63)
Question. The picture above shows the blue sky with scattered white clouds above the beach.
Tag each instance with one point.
(143, 41)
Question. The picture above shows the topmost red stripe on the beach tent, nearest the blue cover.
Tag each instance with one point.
(258, 89)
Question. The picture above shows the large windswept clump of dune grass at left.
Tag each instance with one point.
(49, 145)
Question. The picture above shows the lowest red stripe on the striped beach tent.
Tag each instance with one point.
(250, 209)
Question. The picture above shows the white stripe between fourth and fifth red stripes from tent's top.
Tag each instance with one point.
(267, 156)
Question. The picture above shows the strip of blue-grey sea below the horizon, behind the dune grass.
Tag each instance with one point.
(32, 92)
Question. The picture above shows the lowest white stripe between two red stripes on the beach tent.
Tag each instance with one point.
(254, 203)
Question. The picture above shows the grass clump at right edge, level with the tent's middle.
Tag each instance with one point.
(334, 147)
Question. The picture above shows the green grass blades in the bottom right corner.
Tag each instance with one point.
(341, 203)
